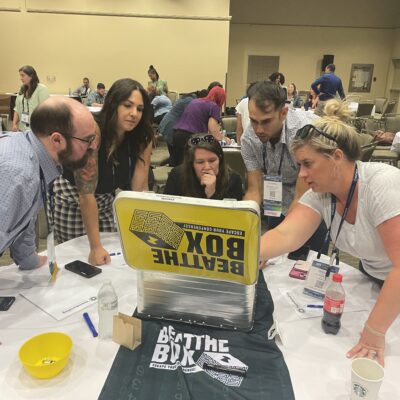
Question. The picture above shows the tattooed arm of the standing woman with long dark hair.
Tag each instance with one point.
(86, 182)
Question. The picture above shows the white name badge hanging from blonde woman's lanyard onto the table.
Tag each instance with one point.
(318, 278)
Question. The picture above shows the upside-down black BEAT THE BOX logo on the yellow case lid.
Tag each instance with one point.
(208, 248)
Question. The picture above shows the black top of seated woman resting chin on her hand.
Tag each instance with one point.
(174, 186)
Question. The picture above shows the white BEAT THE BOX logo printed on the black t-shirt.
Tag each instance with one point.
(197, 353)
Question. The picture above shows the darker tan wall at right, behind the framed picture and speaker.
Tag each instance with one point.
(301, 49)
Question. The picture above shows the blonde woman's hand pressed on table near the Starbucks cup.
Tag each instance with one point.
(370, 346)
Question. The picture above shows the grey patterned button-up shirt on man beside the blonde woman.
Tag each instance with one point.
(253, 153)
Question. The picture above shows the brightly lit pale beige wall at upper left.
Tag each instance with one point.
(180, 38)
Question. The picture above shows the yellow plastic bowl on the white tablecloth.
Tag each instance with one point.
(45, 355)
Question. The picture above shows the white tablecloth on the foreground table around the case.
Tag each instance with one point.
(316, 361)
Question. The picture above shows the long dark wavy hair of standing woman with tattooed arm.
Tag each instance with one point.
(107, 119)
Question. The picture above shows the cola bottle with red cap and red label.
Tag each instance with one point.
(333, 305)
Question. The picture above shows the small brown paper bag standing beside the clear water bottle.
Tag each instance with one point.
(127, 331)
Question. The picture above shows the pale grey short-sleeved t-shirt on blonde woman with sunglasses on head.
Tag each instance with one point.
(378, 201)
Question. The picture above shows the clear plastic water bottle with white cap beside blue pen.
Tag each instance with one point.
(107, 301)
